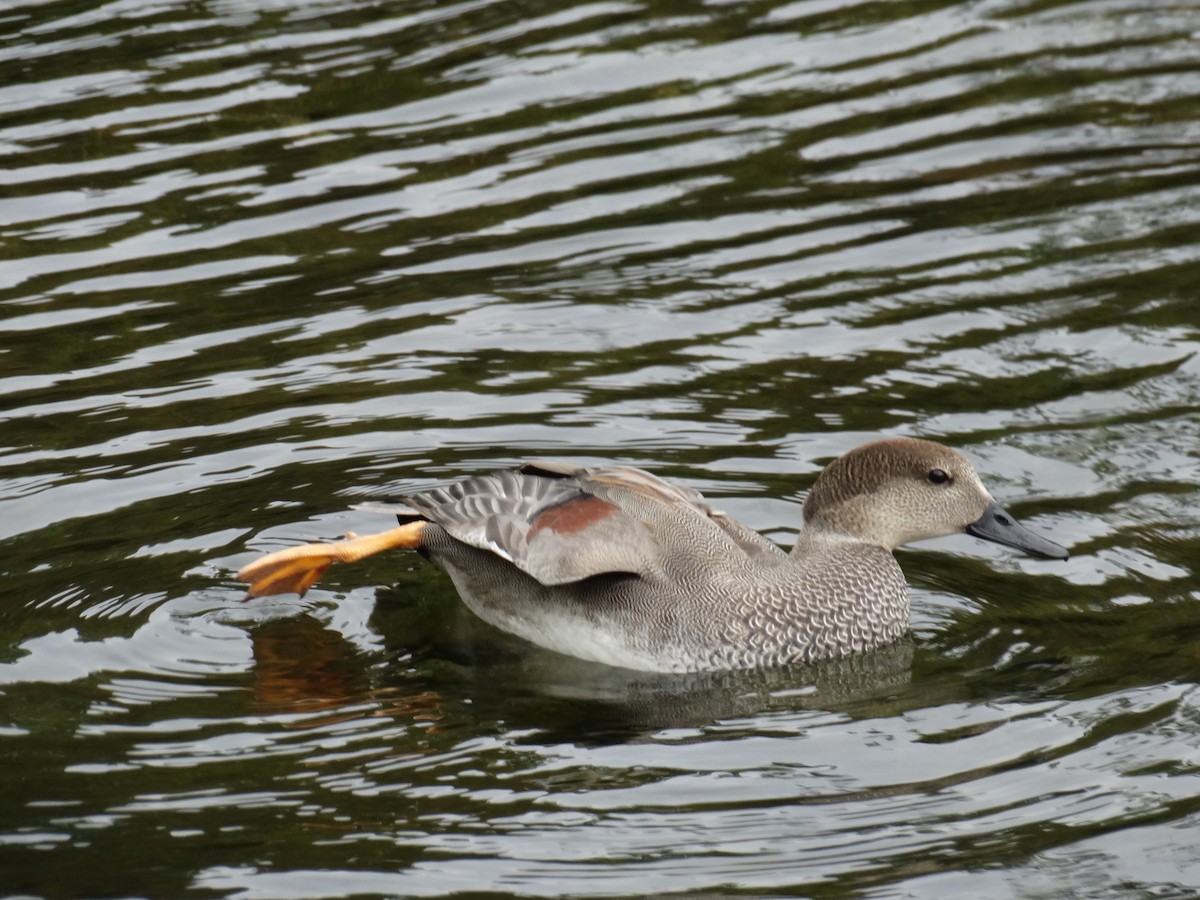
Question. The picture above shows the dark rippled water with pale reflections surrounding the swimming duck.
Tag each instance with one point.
(260, 262)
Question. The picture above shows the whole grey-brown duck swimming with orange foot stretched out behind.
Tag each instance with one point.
(616, 566)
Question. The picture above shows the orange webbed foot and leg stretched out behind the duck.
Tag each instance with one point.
(297, 569)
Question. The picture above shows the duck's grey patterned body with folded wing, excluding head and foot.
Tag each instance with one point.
(619, 567)
